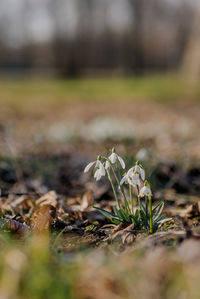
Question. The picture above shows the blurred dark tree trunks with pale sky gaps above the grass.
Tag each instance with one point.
(73, 38)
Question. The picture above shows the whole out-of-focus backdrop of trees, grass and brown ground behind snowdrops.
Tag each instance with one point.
(78, 77)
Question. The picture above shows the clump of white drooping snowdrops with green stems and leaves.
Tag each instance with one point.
(133, 204)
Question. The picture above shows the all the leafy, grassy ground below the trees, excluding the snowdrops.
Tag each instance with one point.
(54, 244)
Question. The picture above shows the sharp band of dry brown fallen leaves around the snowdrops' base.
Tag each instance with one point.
(75, 215)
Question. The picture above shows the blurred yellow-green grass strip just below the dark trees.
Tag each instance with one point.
(163, 87)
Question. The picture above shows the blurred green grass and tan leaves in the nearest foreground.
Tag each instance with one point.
(32, 271)
